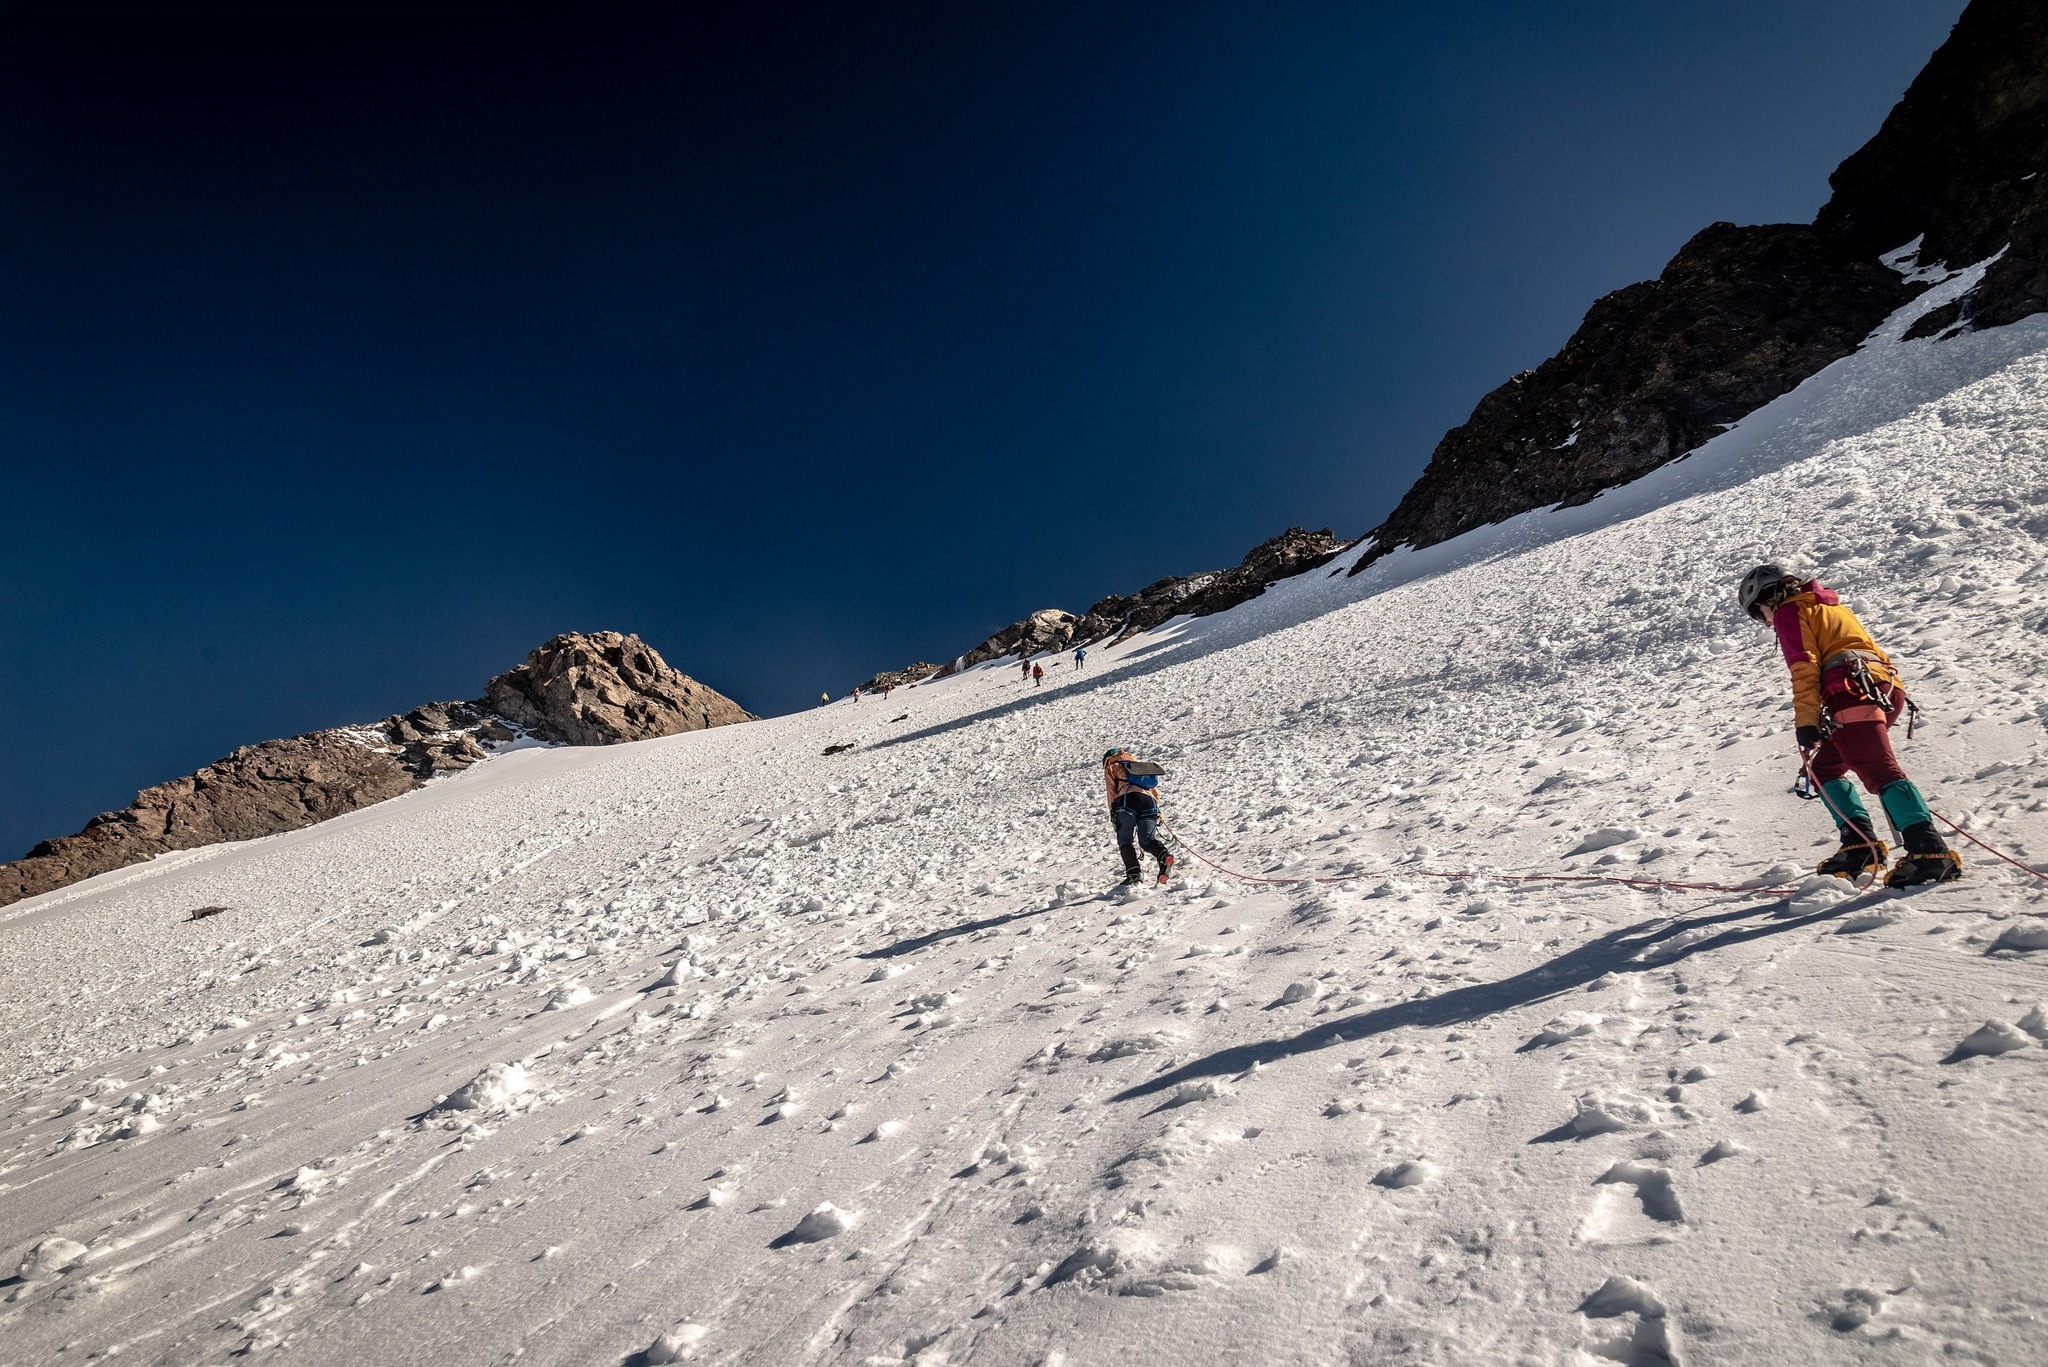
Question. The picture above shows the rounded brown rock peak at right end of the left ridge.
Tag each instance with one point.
(603, 690)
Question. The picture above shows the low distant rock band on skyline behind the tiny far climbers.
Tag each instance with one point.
(1119, 616)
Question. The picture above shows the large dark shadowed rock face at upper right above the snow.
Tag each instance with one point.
(1746, 315)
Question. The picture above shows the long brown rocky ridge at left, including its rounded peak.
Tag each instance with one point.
(577, 690)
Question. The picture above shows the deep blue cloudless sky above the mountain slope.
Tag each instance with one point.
(343, 364)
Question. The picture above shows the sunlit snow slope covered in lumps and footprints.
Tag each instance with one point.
(724, 1050)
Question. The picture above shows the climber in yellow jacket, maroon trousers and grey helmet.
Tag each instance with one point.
(1844, 700)
